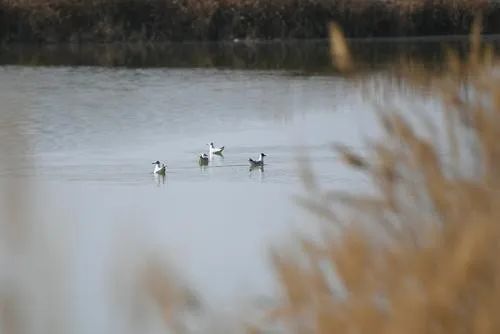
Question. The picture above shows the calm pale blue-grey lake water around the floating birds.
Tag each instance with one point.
(80, 127)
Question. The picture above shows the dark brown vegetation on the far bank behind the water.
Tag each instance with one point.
(179, 20)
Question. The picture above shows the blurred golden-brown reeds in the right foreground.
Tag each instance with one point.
(419, 253)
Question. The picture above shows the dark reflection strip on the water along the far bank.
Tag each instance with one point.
(299, 57)
